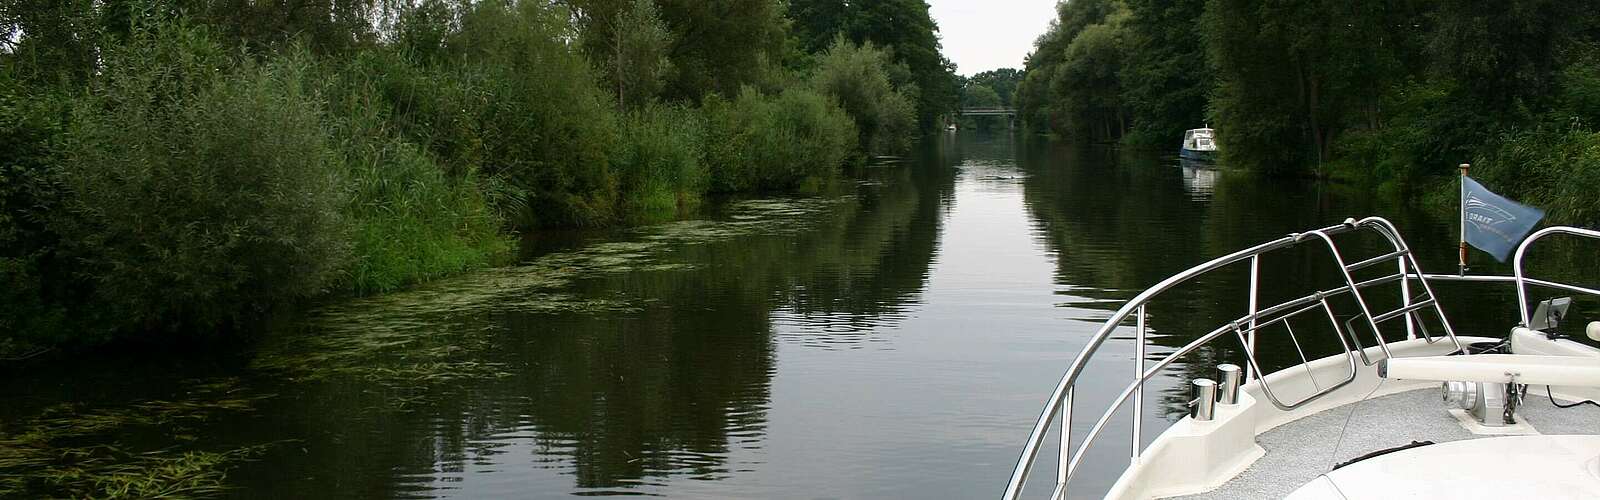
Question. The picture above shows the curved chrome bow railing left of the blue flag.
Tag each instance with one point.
(1246, 328)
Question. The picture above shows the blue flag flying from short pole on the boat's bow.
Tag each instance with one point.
(1494, 224)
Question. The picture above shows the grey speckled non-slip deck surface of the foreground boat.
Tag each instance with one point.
(1303, 450)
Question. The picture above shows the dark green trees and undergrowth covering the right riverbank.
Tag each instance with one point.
(1388, 95)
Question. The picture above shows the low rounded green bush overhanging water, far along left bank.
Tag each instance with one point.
(796, 140)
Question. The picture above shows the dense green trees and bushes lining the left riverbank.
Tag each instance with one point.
(183, 169)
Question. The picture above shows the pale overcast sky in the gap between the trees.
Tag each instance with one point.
(990, 34)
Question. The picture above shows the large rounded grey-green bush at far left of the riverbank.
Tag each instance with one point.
(199, 192)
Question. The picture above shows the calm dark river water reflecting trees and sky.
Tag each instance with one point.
(895, 341)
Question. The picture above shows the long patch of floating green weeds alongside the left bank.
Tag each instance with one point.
(439, 333)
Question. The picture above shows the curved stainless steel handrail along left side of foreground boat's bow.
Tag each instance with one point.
(1063, 397)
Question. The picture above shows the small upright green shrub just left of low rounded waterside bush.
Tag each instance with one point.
(660, 163)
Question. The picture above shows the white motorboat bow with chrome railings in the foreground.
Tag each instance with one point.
(1398, 406)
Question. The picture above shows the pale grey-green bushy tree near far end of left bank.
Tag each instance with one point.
(858, 79)
